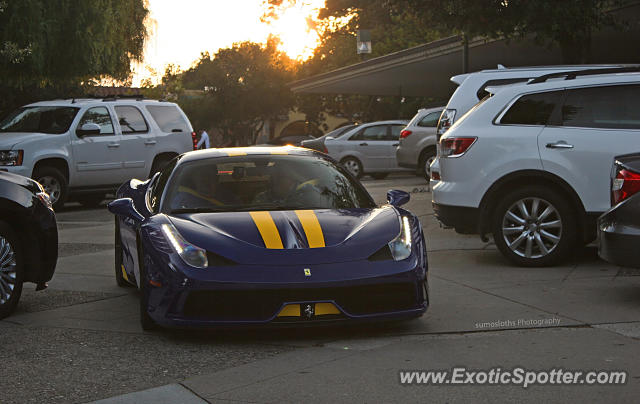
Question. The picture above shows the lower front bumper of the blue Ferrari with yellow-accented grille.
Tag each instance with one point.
(191, 299)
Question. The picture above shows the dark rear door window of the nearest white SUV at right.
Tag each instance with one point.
(612, 107)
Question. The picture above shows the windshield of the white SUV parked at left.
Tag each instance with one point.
(51, 120)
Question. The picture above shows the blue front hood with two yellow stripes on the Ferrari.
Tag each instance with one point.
(307, 237)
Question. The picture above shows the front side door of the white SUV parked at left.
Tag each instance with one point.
(98, 158)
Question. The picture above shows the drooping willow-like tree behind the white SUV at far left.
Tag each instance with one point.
(52, 47)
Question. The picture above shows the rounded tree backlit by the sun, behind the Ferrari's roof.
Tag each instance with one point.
(244, 86)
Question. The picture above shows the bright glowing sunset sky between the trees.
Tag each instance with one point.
(179, 33)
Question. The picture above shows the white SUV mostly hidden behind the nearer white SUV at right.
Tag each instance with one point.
(472, 88)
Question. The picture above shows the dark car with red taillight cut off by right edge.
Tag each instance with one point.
(619, 227)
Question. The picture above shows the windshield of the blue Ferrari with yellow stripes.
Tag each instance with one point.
(262, 182)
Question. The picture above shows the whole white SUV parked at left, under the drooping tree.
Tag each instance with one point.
(84, 148)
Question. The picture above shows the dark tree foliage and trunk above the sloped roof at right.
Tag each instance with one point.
(568, 24)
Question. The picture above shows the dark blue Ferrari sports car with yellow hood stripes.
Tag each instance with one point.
(247, 236)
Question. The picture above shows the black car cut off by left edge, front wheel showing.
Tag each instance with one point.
(28, 238)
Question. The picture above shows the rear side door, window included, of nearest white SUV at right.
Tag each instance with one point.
(594, 125)
